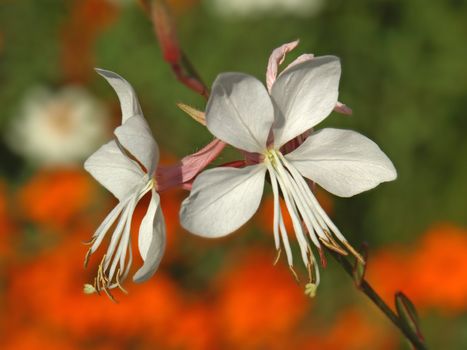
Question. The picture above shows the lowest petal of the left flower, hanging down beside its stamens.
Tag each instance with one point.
(151, 240)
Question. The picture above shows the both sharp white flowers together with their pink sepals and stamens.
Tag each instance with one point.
(273, 127)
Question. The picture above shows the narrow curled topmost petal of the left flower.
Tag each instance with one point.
(127, 96)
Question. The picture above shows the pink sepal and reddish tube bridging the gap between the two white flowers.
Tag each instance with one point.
(188, 167)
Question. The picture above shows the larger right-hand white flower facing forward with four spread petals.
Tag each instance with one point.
(243, 114)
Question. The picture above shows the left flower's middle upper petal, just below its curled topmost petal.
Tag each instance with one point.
(136, 137)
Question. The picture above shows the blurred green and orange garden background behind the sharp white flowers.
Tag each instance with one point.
(404, 76)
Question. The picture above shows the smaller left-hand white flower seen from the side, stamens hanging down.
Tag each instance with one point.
(126, 167)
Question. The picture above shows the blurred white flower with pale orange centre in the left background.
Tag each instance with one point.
(58, 128)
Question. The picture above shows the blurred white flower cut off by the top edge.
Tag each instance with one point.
(248, 8)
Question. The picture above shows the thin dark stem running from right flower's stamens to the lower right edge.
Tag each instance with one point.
(368, 290)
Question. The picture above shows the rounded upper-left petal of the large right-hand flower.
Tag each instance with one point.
(240, 111)
